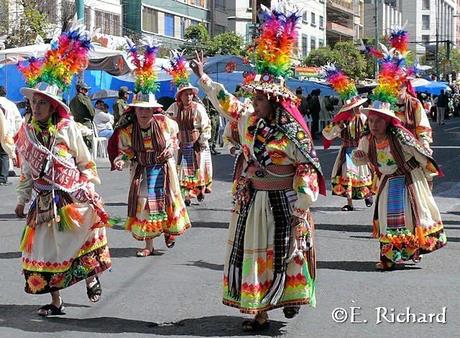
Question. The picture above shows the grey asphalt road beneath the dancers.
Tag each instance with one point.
(177, 292)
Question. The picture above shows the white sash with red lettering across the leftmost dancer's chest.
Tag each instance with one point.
(44, 164)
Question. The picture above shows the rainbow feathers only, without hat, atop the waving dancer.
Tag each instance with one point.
(277, 39)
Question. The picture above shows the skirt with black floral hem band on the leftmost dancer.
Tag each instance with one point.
(57, 254)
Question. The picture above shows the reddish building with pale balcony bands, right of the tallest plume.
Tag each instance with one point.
(344, 20)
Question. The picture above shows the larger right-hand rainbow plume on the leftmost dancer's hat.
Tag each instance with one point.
(68, 55)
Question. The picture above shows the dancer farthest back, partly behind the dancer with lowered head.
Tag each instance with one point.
(194, 156)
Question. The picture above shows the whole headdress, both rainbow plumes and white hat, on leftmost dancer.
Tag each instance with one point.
(53, 74)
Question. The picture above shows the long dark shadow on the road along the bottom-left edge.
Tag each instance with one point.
(24, 318)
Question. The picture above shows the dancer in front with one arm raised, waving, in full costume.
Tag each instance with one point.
(270, 259)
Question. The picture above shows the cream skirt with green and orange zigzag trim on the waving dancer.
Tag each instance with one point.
(258, 262)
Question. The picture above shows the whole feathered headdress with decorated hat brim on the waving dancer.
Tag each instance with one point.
(274, 48)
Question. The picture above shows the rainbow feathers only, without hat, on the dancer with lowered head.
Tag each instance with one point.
(146, 78)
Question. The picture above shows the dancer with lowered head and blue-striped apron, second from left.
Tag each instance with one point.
(147, 141)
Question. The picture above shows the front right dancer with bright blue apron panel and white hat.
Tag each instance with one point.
(406, 218)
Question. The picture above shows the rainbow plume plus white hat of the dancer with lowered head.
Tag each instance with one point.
(146, 78)
